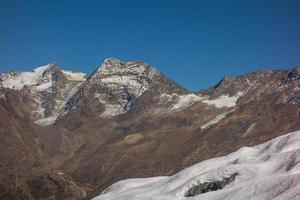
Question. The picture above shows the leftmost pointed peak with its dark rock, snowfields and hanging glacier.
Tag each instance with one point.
(48, 86)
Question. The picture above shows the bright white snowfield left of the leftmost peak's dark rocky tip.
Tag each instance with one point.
(22, 79)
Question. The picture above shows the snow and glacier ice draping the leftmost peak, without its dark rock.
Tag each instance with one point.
(40, 80)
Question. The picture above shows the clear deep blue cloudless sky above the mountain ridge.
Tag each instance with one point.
(193, 42)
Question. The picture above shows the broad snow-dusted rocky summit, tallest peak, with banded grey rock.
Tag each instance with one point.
(123, 81)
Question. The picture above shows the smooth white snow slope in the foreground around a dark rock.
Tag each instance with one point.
(267, 171)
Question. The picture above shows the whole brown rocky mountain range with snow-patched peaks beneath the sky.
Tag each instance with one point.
(78, 134)
